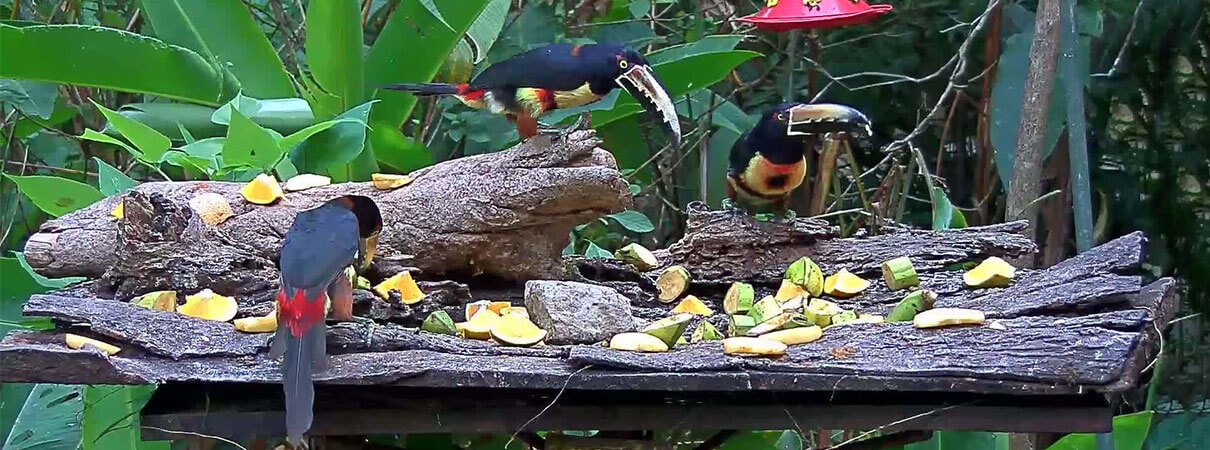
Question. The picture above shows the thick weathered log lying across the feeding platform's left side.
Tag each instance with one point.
(505, 215)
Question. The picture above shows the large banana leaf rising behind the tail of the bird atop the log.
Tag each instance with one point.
(411, 49)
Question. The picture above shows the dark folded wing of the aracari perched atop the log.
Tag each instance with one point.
(552, 67)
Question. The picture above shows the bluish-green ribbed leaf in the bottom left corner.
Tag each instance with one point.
(50, 419)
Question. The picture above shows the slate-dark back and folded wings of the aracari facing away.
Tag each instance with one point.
(321, 244)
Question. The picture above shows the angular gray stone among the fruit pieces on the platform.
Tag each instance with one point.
(578, 313)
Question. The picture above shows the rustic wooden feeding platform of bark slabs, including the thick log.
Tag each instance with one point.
(1057, 345)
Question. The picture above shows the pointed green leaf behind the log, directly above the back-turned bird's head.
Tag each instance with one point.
(336, 145)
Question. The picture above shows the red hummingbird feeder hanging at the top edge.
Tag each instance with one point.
(792, 15)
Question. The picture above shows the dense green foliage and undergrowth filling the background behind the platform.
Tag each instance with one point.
(100, 95)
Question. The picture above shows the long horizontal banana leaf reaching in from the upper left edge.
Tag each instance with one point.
(110, 59)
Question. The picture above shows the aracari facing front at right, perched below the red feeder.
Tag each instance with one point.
(769, 161)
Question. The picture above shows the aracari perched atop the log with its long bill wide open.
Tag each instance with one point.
(560, 76)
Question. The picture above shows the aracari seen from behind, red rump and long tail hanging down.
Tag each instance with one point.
(321, 246)
